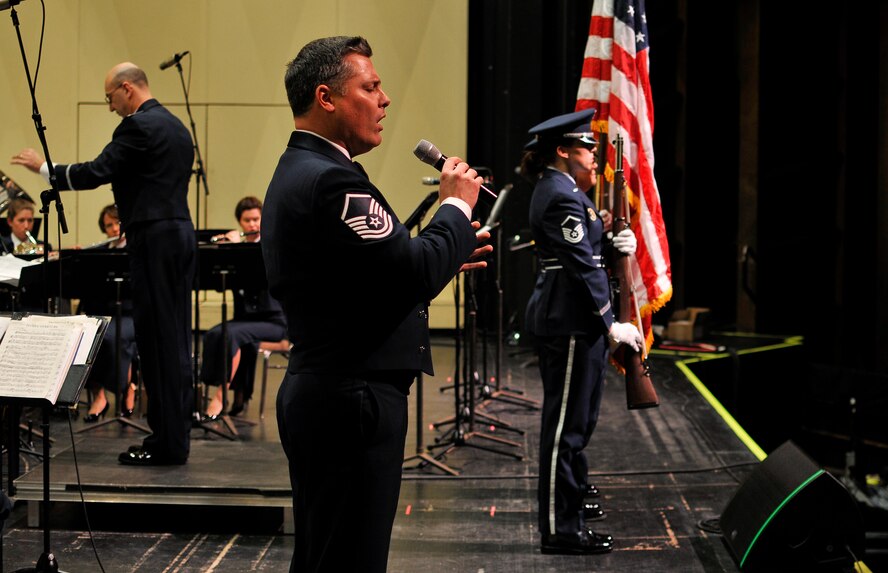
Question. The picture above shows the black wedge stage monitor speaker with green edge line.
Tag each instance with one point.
(791, 515)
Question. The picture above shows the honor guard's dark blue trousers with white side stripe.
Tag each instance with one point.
(572, 369)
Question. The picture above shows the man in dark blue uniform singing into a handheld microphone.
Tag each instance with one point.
(355, 287)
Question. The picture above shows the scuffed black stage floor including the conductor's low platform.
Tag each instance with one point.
(665, 475)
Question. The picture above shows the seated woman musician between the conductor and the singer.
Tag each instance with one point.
(257, 317)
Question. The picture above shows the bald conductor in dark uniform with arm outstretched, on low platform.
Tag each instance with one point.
(148, 164)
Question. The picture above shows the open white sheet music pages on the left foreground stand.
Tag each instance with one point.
(35, 357)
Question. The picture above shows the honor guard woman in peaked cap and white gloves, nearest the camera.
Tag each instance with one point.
(570, 315)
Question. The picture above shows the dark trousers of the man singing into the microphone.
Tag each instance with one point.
(344, 439)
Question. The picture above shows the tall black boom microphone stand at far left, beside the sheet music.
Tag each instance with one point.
(47, 562)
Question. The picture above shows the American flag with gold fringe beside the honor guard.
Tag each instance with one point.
(615, 81)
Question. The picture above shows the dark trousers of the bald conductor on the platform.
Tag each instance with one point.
(162, 264)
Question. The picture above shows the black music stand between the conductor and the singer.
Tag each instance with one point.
(223, 267)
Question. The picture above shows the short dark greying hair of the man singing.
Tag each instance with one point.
(321, 61)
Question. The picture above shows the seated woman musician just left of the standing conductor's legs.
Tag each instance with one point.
(102, 376)
